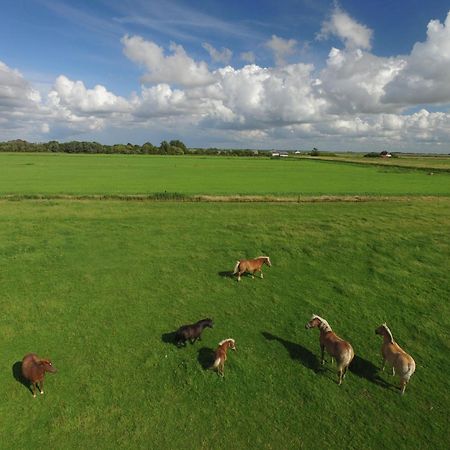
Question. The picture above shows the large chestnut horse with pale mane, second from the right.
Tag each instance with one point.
(336, 347)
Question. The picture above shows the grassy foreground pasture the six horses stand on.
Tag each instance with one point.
(97, 285)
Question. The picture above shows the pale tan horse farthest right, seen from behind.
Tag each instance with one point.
(402, 364)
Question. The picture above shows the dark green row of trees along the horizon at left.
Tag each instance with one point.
(174, 147)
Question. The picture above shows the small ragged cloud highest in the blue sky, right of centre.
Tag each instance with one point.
(352, 33)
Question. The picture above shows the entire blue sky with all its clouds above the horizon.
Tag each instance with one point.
(288, 74)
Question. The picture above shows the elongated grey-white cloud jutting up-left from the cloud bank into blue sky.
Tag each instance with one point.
(177, 68)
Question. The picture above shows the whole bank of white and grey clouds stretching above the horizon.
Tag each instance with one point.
(361, 98)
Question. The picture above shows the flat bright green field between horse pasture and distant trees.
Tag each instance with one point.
(47, 174)
